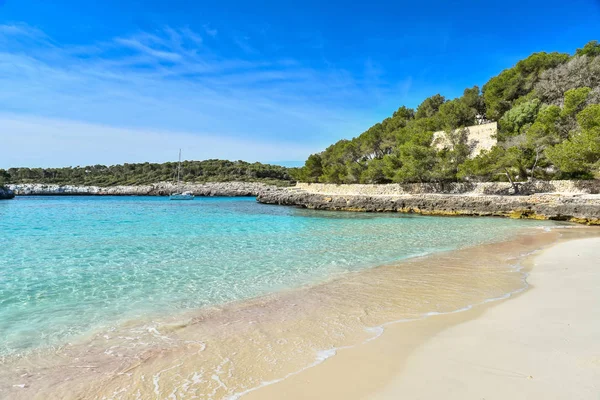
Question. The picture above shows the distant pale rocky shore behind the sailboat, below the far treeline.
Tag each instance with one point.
(157, 189)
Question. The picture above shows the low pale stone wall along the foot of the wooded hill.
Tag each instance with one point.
(474, 188)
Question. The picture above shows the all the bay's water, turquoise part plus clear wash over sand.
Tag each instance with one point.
(159, 291)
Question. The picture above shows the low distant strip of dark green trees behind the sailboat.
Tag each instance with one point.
(138, 174)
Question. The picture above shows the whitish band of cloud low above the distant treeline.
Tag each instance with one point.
(49, 142)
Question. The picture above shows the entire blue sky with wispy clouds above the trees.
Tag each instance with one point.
(86, 82)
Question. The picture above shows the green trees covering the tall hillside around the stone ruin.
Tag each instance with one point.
(548, 119)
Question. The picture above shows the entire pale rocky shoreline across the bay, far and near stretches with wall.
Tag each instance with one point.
(575, 201)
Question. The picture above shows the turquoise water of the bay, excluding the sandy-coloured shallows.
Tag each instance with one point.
(70, 265)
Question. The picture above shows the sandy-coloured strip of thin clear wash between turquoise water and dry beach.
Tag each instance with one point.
(291, 329)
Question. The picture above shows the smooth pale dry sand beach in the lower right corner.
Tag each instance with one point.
(540, 344)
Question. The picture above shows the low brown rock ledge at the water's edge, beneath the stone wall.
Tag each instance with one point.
(581, 208)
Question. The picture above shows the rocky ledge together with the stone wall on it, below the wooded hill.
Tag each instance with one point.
(578, 205)
